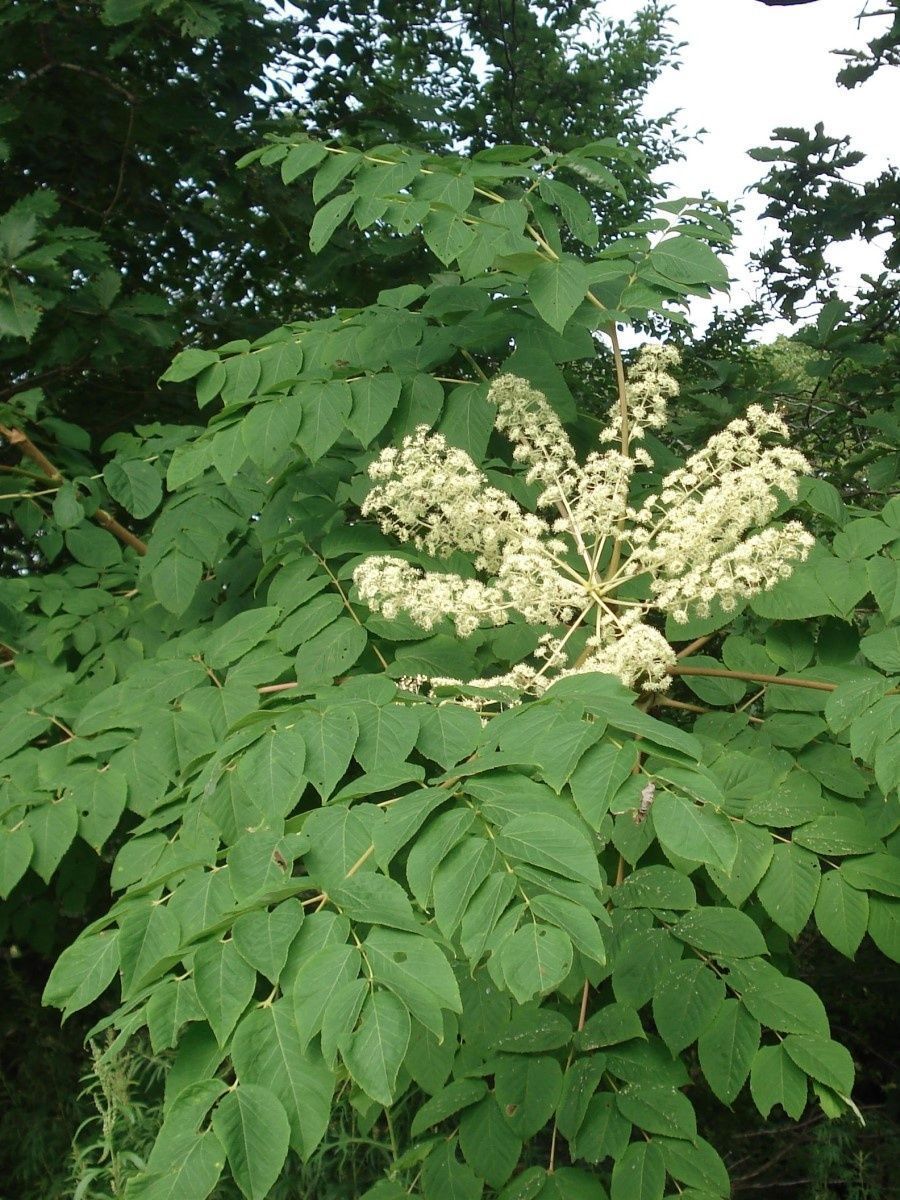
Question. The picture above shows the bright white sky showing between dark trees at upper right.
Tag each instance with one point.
(747, 69)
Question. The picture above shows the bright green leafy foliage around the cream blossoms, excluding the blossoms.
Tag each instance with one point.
(511, 951)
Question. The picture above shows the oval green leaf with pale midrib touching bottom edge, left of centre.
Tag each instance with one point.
(254, 1130)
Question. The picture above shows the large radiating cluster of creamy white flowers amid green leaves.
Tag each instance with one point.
(703, 537)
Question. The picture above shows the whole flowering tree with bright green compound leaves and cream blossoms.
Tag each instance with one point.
(525, 939)
